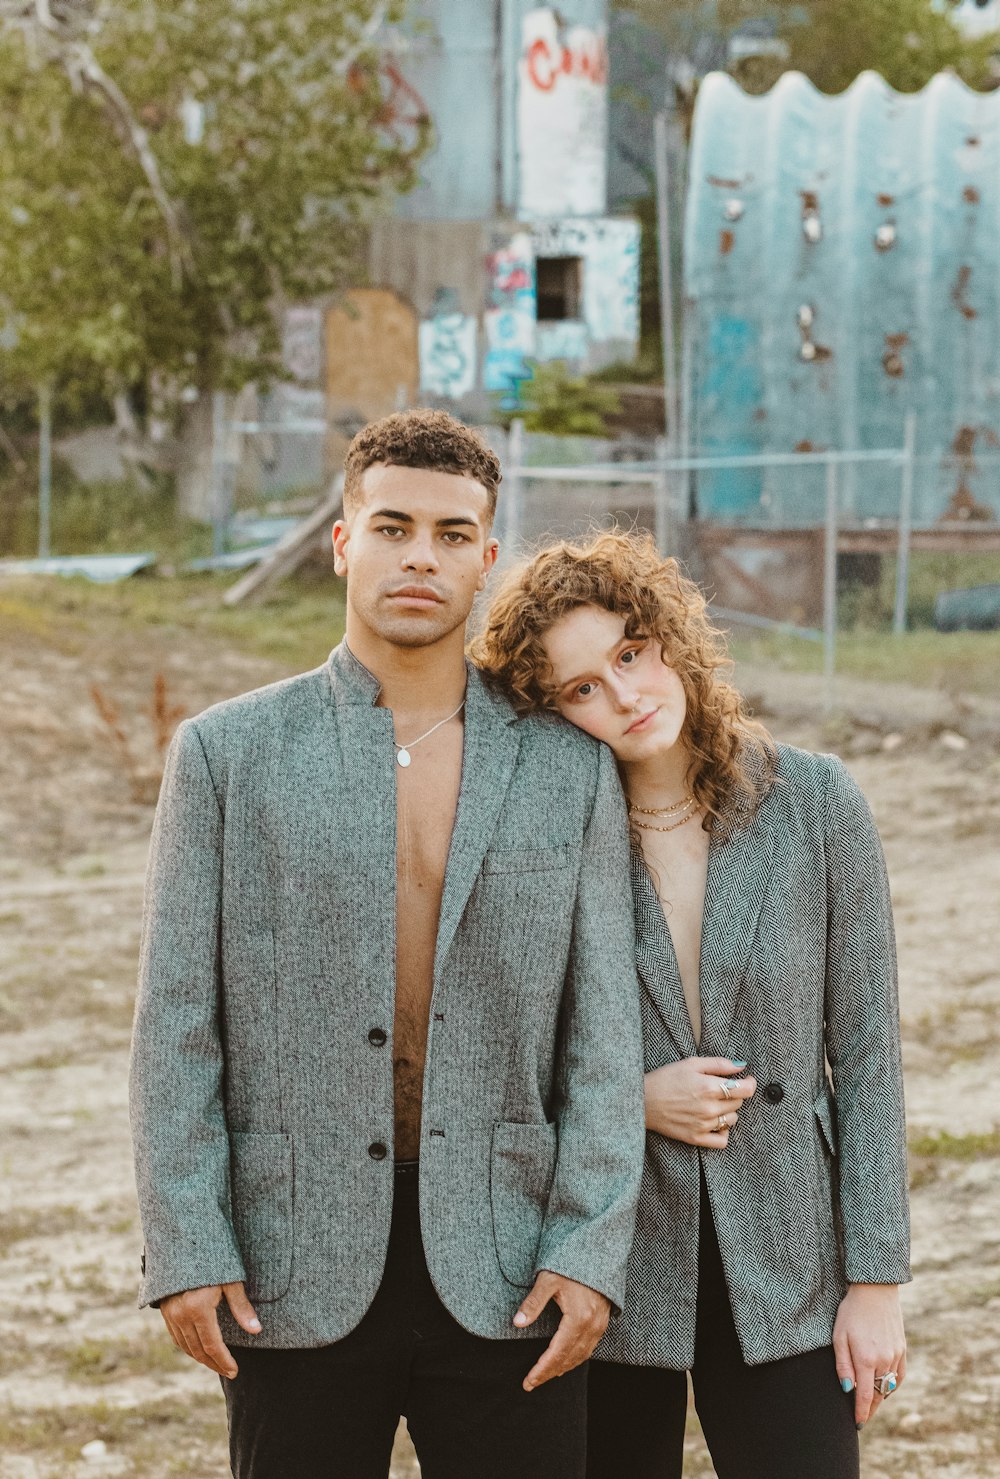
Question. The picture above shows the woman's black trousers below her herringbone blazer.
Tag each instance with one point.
(780, 1421)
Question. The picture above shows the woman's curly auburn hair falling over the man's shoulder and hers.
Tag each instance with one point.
(733, 757)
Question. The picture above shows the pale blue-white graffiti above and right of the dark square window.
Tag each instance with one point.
(610, 252)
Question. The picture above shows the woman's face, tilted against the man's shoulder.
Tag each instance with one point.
(615, 687)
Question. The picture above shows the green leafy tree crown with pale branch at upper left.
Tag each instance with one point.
(171, 174)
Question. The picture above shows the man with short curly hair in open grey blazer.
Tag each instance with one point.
(387, 1067)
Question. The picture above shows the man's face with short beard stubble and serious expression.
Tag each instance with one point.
(416, 552)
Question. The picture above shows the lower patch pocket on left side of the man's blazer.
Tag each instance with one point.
(263, 1184)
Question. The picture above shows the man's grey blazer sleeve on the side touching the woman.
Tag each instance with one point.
(591, 1215)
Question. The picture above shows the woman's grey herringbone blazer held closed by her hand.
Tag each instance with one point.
(800, 981)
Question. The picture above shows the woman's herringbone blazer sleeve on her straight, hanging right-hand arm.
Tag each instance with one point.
(863, 1040)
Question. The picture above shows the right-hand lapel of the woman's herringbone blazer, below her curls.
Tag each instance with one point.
(739, 879)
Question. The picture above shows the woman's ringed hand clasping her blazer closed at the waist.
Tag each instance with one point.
(687, 1101)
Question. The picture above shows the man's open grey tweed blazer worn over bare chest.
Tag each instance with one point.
(261, 1089)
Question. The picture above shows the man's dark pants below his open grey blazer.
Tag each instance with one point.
(332, 1413)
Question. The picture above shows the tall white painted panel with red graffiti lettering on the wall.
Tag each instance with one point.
(563, 119)
